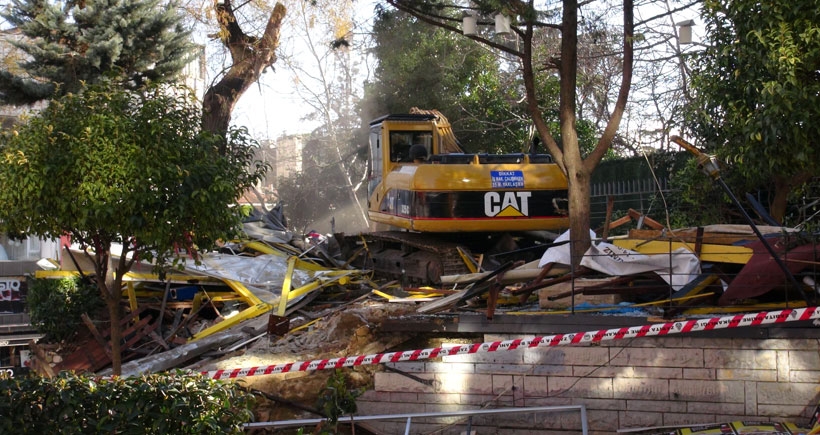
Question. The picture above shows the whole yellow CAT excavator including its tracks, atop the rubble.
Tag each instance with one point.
(430, 202)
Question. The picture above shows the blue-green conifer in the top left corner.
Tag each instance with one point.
(70, 43)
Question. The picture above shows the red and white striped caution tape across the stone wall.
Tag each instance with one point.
(655, 329)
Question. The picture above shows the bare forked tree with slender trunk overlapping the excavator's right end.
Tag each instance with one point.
(527, 19)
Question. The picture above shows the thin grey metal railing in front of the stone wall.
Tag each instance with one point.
(409, 417)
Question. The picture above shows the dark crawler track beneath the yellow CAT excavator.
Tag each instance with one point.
(409, 257)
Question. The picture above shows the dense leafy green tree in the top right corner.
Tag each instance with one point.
(756, 89)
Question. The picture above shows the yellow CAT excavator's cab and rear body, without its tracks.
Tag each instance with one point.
(421, 180)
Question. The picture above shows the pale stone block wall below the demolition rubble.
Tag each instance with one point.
(637, 383)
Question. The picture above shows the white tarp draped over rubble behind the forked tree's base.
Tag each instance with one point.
(677, 268)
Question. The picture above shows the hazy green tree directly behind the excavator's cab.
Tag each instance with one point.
(430, 68)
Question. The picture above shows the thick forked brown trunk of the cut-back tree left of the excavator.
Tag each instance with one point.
(250, 57)
